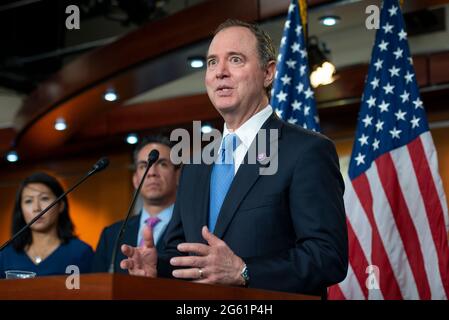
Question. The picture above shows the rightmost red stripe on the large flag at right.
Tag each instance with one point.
(433, 207)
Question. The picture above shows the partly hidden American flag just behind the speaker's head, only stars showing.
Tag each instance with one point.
(292, 97)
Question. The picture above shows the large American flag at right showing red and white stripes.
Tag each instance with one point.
(396, 208)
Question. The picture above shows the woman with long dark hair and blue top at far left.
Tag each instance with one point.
(49, 246)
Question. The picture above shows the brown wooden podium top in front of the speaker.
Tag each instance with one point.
(104, 286)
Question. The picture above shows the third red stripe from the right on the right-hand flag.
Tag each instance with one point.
(388, 284)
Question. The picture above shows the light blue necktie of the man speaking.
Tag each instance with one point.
(221, 177)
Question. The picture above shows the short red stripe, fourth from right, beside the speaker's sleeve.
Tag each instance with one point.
(357, 259)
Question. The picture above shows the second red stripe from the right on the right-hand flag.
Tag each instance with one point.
(404, 223)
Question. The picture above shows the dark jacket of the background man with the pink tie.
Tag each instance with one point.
(103, 254)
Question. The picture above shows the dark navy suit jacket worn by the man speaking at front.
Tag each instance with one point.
(289, 228)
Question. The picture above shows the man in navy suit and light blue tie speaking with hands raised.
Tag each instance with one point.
(283, 231)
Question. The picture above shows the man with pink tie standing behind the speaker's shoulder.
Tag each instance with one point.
(158, 195)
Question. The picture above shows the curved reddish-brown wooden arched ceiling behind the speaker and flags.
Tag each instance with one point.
(148, 69)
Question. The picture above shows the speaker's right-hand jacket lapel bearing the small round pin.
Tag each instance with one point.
(245, 178)
